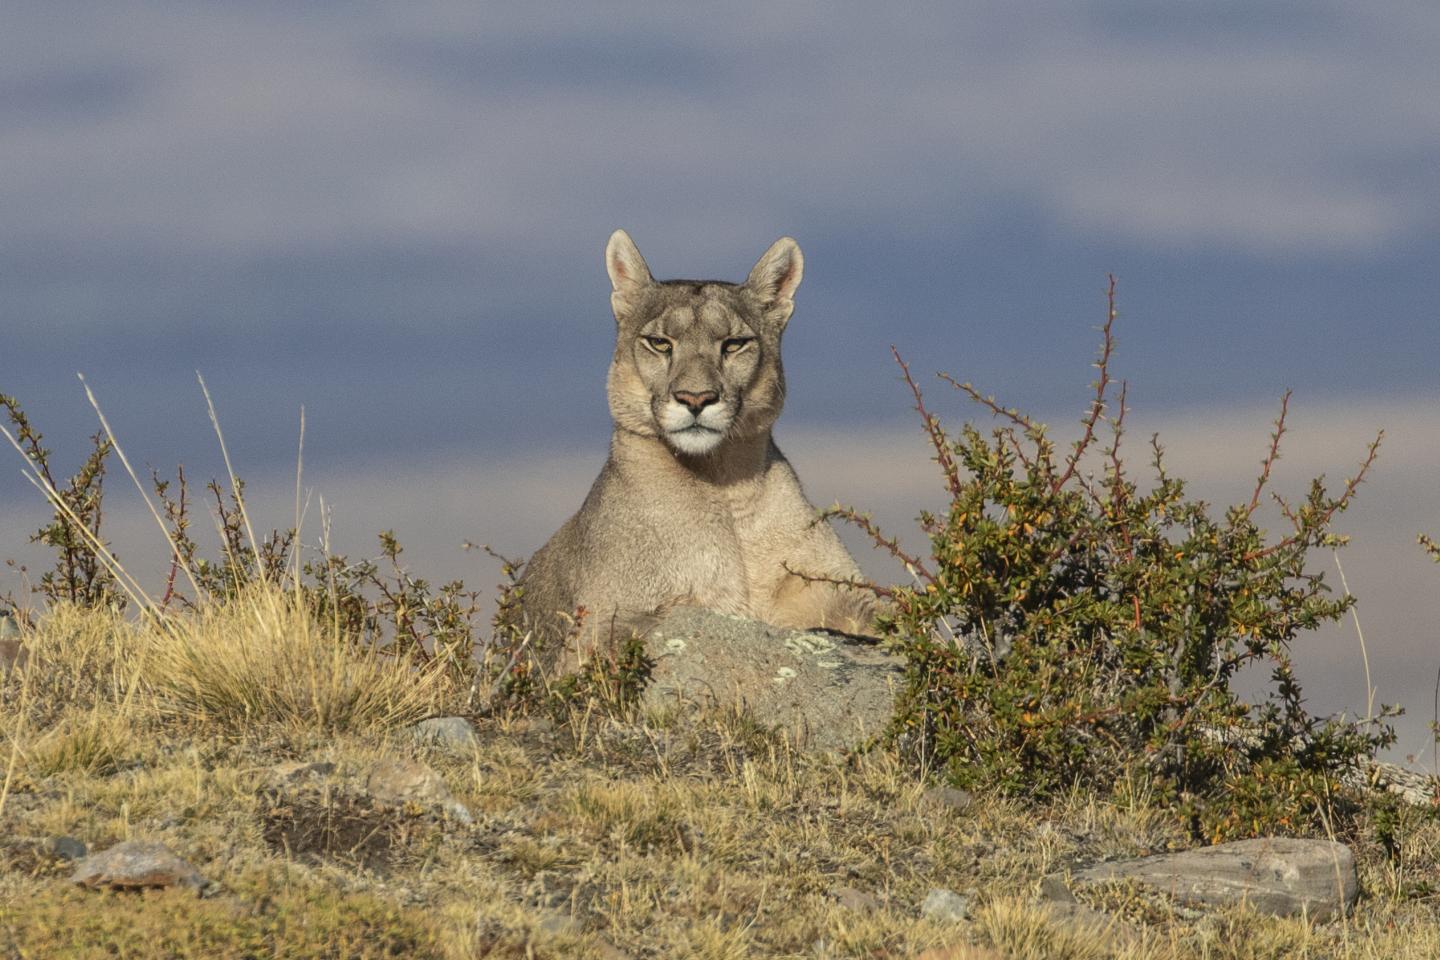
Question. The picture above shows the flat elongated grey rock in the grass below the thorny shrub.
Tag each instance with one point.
(1275, 876)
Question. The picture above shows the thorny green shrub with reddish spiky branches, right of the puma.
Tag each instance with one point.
(1071, 627)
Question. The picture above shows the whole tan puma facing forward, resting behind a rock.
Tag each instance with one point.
(696, 506)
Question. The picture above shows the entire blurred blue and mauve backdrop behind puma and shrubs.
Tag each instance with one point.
(394, 215)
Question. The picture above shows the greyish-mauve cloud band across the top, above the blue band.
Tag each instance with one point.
(276, 130)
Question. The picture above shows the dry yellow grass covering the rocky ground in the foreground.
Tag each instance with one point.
(601, 836)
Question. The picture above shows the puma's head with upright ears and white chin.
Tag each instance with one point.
(699, 362)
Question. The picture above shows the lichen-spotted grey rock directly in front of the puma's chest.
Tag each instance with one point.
(830, 692)
